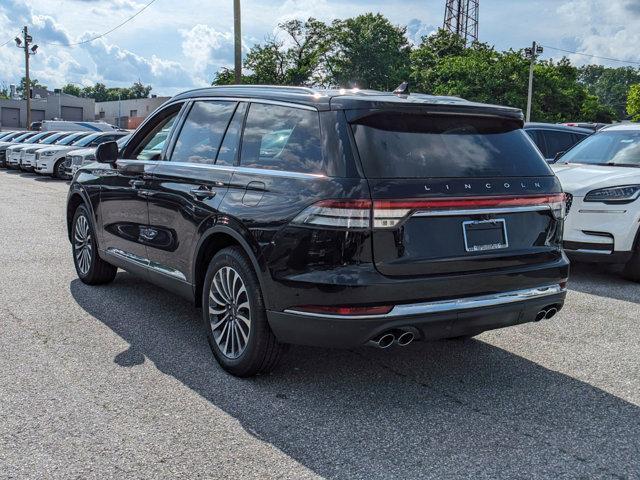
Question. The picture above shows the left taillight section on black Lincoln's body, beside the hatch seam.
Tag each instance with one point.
(337, 214)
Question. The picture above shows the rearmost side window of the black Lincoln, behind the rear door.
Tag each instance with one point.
(282, 138)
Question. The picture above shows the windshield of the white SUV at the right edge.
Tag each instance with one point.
(621, 147)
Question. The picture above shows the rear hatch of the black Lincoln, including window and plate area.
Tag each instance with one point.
(456, 193)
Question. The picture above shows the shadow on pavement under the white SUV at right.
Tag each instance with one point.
(603, 280)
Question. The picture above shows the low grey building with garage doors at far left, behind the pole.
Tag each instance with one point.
(46, 105)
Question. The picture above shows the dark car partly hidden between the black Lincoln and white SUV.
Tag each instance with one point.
(554, 139)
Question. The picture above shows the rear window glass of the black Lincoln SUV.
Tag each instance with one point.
(403, 145)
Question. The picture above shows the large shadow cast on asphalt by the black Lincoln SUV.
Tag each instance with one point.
(441, 409)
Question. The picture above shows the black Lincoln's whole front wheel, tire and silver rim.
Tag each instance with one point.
(91, 269)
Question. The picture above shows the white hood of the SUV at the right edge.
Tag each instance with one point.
(579, 179)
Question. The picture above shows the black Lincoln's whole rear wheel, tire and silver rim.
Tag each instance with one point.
(235, 318)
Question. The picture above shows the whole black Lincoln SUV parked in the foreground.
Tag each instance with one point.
(328, 218)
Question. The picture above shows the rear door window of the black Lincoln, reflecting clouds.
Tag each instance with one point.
(202, 132)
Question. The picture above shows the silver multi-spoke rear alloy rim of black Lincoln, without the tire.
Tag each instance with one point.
(229, 312)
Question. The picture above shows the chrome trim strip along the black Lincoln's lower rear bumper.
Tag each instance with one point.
(452, 305)
